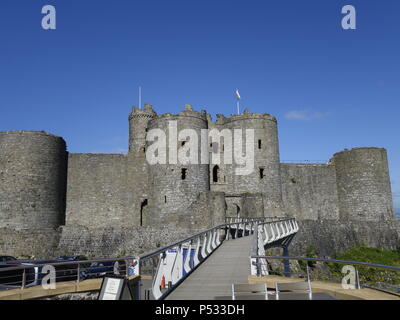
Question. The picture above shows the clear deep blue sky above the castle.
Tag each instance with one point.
(330, 89)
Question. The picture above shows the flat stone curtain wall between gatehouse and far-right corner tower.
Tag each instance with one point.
(309, 191)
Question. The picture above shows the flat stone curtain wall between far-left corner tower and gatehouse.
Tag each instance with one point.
(97, 194)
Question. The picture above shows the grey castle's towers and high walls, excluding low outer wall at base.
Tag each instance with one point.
(44, 186)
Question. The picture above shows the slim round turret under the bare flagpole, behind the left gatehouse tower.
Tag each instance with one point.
(138, 121)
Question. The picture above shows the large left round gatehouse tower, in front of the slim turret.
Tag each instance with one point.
(174, 185)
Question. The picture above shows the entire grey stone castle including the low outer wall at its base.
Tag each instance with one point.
(53, 202)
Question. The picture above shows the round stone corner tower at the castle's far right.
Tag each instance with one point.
(363, 184)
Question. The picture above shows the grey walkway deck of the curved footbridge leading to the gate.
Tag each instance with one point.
(229, 264)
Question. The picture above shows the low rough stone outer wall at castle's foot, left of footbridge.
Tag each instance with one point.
(99, 243)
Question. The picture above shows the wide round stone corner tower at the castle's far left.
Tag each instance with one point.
(33, 171)
